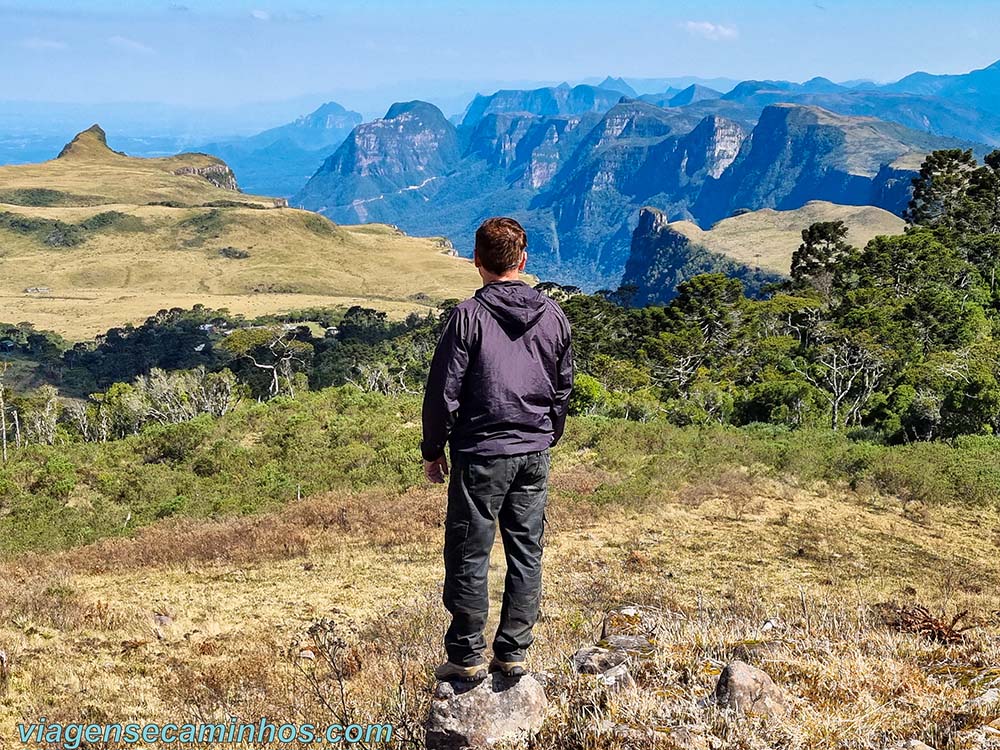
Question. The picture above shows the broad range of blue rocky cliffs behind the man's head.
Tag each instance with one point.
(578, 180)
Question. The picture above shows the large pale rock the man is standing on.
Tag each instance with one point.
(477, 715)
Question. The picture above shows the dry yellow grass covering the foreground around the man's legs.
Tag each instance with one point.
(714, 562)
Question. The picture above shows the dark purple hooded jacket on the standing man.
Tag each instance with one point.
(501, 375)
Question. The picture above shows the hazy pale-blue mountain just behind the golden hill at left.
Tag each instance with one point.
(279, 161)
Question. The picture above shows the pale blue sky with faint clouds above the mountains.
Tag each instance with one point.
(193, 52)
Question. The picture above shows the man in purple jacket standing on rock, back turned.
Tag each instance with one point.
(498, 390)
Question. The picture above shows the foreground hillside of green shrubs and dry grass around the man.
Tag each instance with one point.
(741, 543)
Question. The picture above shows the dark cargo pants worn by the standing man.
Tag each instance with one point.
(511, 490)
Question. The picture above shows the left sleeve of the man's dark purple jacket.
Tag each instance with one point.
(444, 384)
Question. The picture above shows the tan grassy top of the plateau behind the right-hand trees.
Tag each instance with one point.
(767, 238)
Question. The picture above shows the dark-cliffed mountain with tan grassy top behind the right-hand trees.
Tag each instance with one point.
(755, 247)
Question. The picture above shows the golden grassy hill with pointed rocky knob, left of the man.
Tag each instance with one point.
(112, 239)
